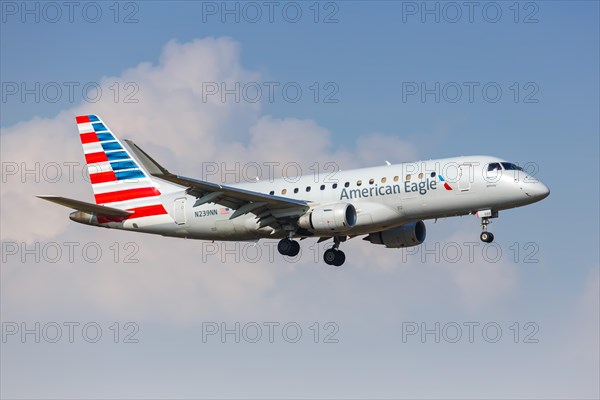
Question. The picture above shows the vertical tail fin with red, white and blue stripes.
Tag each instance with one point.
(117, 179)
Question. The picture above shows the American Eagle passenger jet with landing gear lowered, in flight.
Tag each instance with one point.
(387, 203)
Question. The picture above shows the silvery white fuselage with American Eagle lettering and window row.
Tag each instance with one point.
(384, 197)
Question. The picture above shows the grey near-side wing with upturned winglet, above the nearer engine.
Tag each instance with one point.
(270, 210)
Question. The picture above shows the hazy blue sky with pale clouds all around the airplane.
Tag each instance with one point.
(371, 55)
